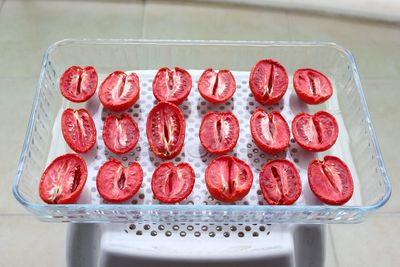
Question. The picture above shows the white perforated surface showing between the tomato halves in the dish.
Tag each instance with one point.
(242, 104)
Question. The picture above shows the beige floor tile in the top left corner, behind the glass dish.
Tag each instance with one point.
(27, 28)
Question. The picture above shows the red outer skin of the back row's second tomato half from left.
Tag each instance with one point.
(126, 104)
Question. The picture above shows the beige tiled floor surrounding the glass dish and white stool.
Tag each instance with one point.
(28, 27)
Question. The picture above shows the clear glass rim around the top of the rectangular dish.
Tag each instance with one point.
(198, 208)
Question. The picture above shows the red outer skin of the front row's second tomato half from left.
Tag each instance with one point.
(133, 190)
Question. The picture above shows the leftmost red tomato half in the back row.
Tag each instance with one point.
(78, 84)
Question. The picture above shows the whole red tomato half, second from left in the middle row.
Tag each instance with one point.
(120, 133)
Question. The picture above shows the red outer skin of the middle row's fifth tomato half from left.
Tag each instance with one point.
(260, 143)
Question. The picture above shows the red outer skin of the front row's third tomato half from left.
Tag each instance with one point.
(191, 181)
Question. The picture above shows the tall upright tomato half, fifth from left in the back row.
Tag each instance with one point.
(268, 81)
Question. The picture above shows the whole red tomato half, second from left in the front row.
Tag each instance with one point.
(117, 183)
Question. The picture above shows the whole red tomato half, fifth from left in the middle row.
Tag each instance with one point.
(270, 131)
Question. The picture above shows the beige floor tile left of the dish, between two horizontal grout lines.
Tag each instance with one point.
(16, 98)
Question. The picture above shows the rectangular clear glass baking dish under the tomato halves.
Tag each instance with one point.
(356, 144)
